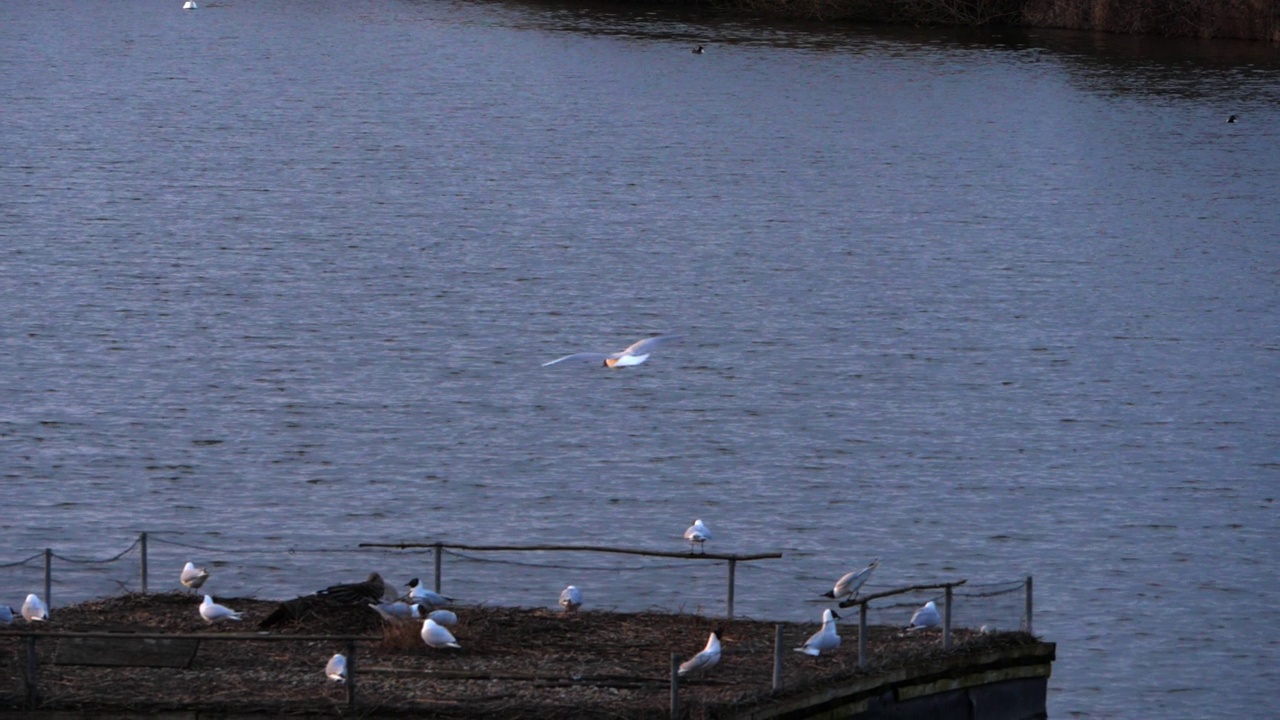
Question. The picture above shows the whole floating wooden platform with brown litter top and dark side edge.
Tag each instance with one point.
(152, 655)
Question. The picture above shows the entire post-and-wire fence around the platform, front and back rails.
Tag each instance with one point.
(995, 607)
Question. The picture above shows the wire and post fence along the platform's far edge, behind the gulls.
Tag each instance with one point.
(470, 571)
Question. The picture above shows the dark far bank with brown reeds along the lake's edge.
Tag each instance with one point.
(1224, 20)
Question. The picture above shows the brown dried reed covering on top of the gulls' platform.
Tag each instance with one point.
(515, 663)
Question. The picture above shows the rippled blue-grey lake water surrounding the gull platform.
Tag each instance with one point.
(982, 306)
